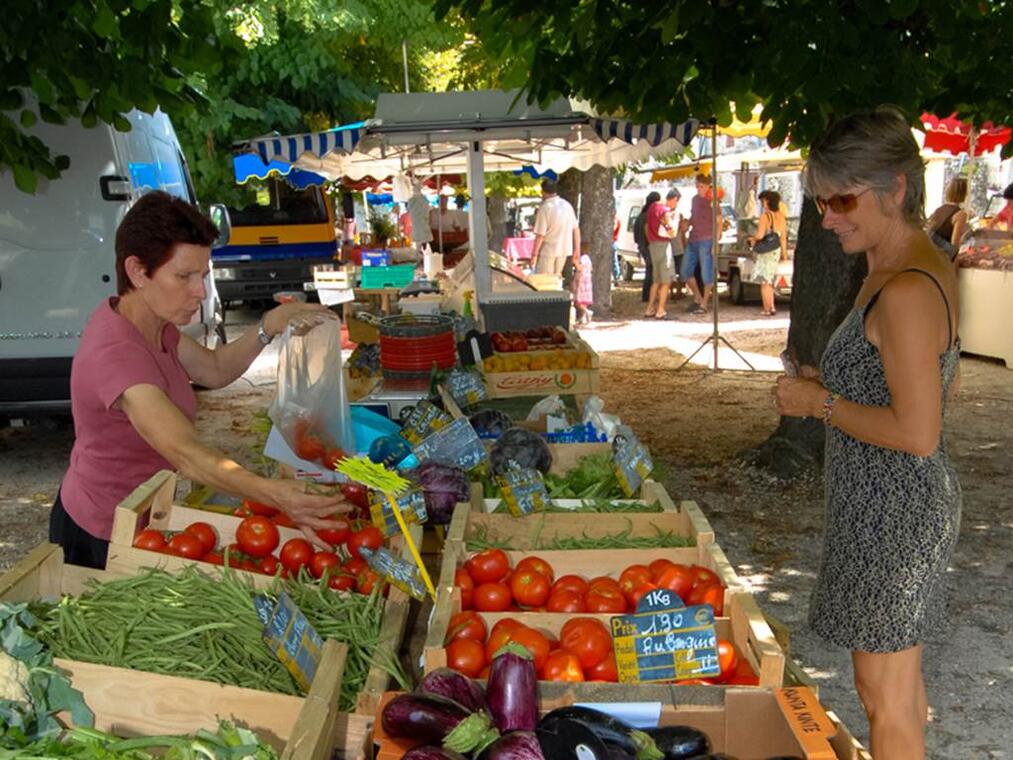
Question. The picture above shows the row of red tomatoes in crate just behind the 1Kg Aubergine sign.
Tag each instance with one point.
(489, 584)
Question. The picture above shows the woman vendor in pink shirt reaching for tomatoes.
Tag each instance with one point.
(132, 378)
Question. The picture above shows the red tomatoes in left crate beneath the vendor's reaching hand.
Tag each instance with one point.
(257, 541)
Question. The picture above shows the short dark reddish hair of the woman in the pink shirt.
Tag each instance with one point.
(152, 229)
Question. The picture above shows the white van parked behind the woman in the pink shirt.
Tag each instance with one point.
(57, 256)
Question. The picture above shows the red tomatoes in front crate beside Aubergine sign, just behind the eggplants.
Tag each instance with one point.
(583, 652)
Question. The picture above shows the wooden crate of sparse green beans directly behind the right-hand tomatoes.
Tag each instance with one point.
(520, 534)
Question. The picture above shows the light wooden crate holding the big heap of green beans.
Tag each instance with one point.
(129, 703)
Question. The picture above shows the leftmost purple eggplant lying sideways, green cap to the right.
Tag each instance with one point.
(433, 719)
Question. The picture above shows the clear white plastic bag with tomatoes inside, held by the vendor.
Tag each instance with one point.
(311, 410)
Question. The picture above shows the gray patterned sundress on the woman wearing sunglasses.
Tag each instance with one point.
(892, 518)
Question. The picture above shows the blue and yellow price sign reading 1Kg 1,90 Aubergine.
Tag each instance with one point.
(665, 641)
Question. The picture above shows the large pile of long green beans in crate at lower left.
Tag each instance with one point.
(196, 626)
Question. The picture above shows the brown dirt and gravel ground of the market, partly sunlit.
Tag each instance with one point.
(696, 423)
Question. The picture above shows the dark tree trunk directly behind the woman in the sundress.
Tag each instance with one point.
(825, 284)
